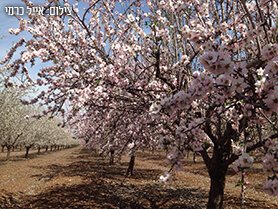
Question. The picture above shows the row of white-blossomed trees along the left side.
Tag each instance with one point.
(20, 126)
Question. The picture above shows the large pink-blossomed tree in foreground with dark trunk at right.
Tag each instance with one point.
(205, 70)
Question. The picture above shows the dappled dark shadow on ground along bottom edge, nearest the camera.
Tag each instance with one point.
(99, 194)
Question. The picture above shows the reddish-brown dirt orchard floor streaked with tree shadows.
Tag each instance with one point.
(78, 178)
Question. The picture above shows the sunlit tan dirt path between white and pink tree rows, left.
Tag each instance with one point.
(17, 175)
